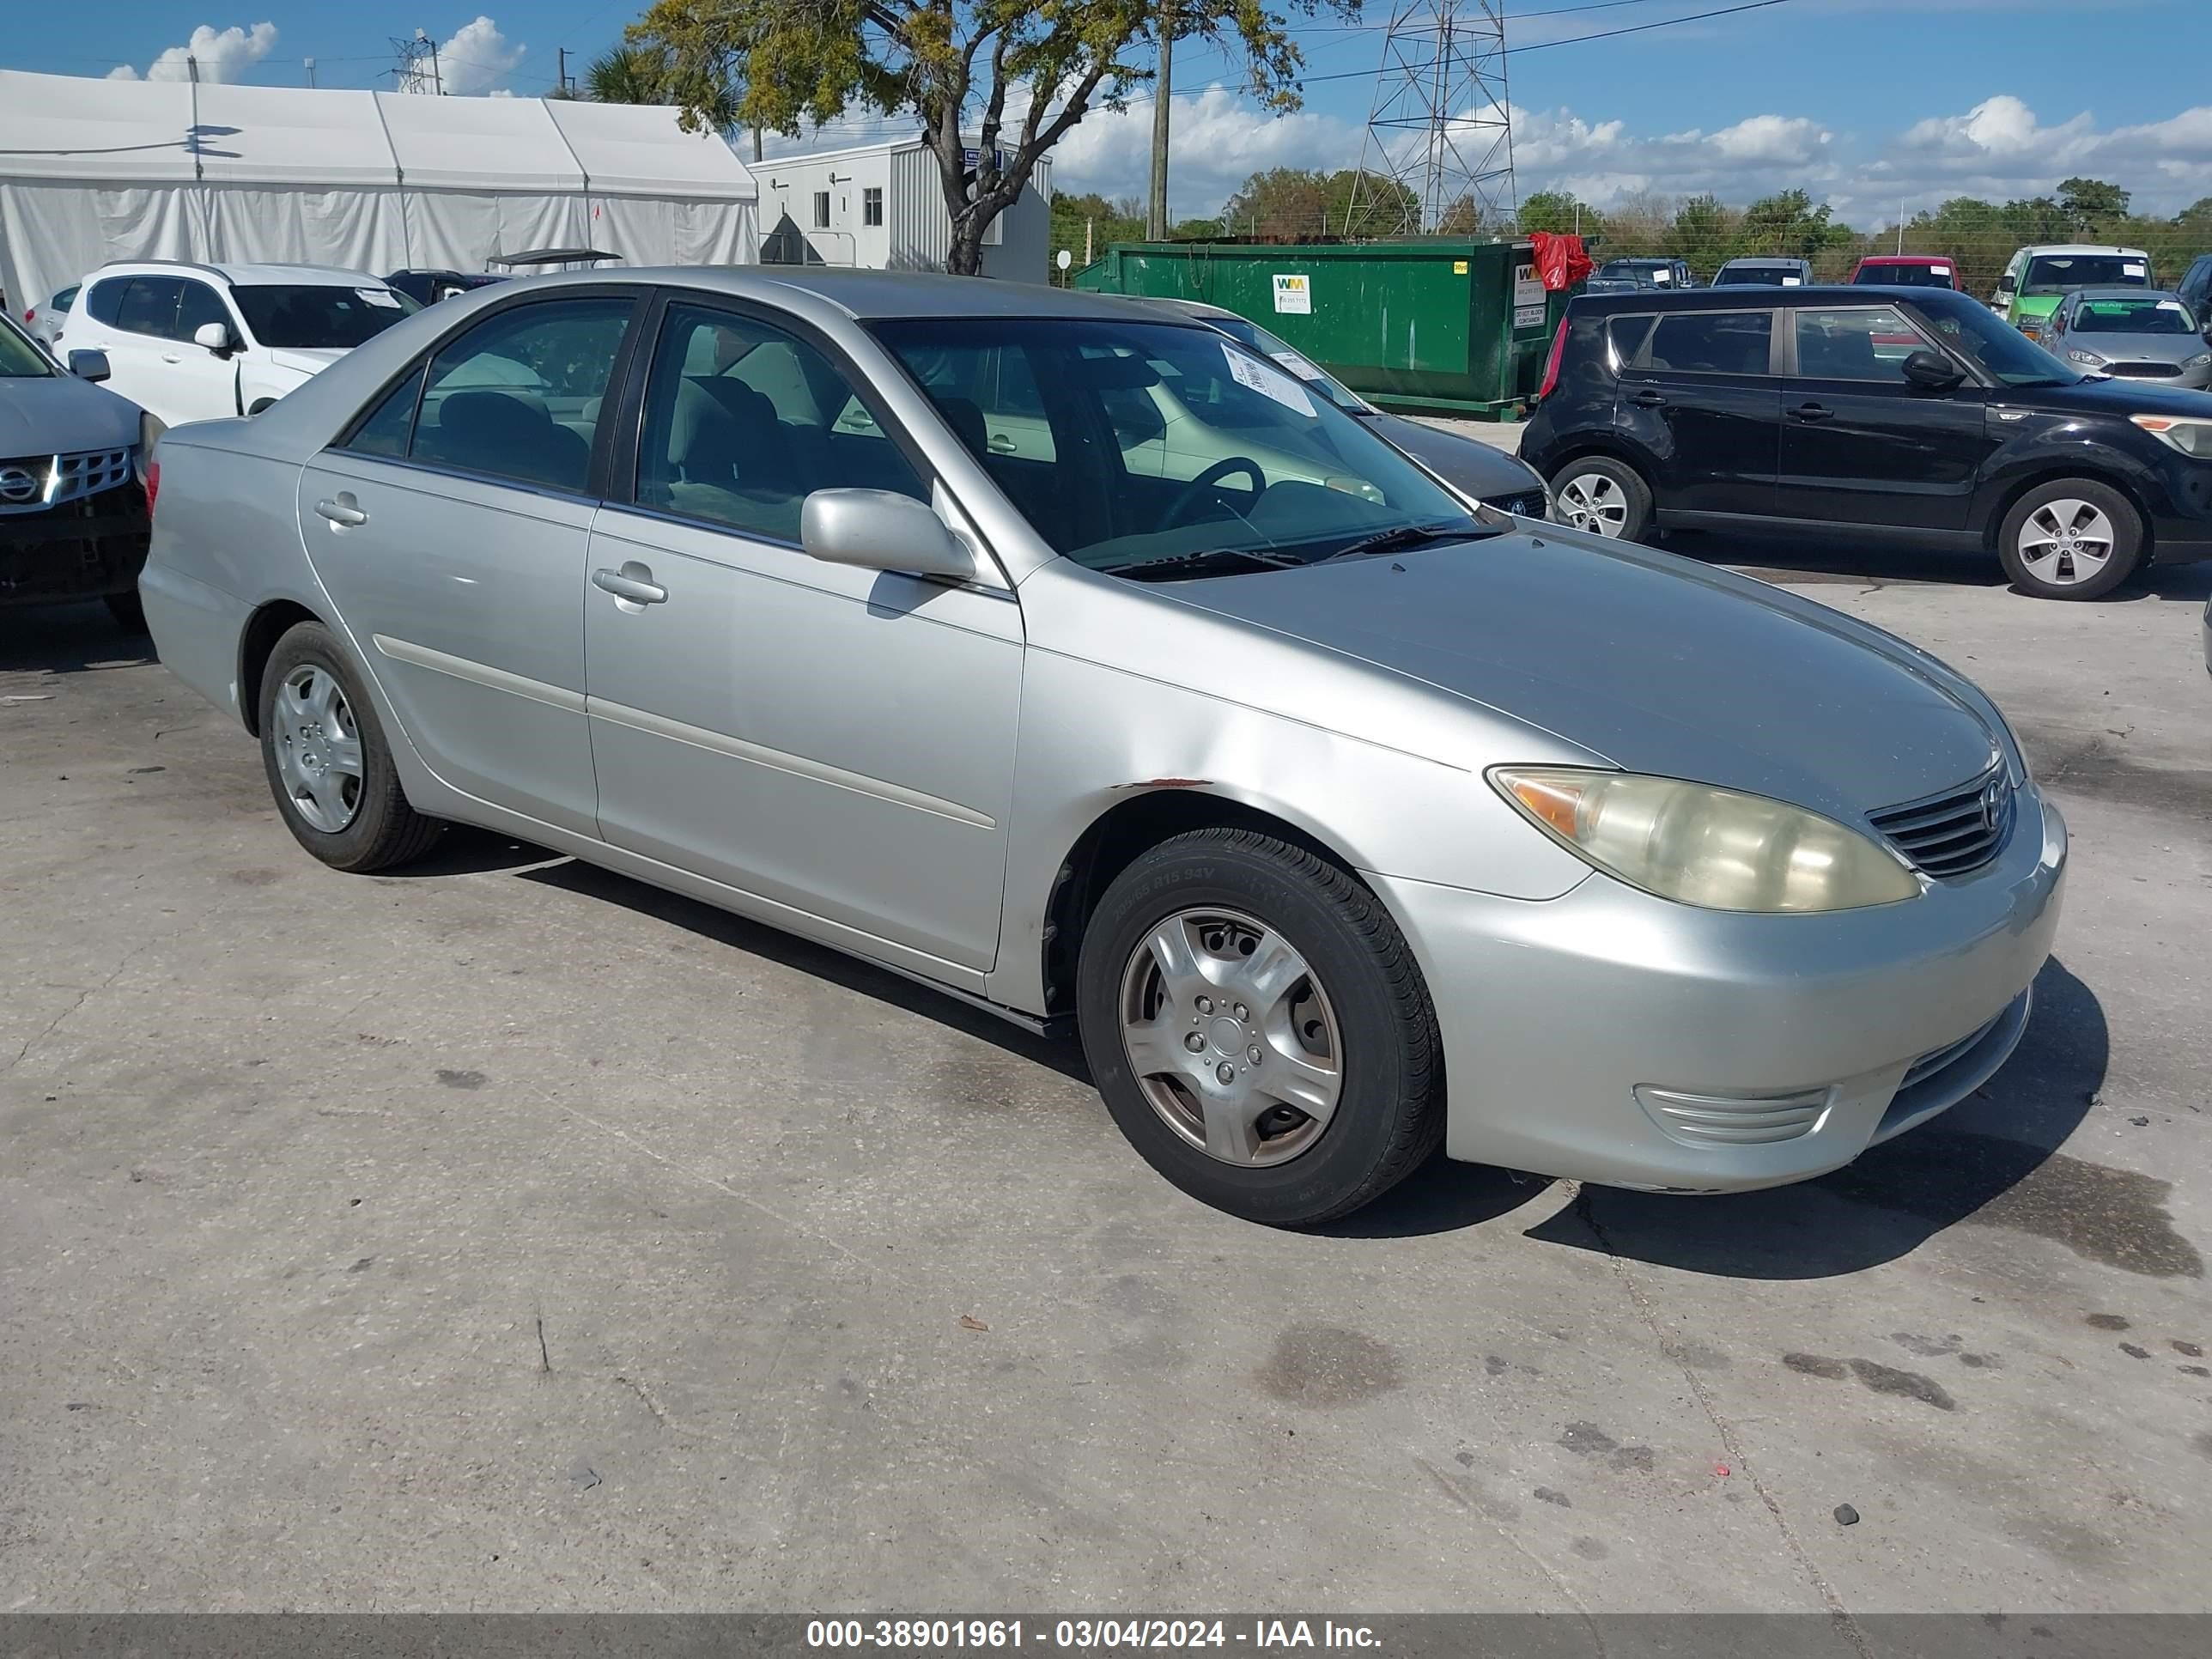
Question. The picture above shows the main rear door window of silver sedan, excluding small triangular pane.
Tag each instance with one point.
(521, 395)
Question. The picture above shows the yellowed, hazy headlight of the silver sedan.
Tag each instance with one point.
(1704, 846)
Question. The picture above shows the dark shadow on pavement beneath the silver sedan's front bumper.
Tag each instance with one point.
(1994, 1160)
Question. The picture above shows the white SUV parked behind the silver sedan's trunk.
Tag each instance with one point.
(191, 342)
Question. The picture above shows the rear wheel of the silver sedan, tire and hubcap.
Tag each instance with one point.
(328, 762)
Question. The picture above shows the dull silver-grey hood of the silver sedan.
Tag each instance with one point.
(1651, 662)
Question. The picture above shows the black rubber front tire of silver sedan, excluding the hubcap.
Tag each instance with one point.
(1390, 1109)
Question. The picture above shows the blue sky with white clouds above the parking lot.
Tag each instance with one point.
(1868, 103)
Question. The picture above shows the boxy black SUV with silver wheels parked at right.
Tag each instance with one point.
(1879, 410)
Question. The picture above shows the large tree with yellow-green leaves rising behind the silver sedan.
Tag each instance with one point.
(1021, 74)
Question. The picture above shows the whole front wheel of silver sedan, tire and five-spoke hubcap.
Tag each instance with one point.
(1260, 1027)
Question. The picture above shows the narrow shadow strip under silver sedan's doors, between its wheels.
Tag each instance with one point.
(804, 957)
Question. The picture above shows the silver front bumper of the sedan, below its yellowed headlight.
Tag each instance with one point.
(1627, 1041)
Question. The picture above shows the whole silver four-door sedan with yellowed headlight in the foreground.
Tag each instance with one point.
(1344, 822)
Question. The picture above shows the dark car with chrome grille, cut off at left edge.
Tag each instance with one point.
(72, 497)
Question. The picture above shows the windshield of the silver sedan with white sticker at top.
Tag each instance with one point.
(1138, 446)
